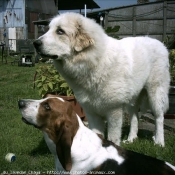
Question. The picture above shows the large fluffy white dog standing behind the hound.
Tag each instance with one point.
(109, 76)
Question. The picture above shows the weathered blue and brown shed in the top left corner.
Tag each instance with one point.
(17, 16)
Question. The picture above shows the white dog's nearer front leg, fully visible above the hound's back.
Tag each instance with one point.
(115, 119)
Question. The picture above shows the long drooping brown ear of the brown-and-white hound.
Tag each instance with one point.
(66, 130)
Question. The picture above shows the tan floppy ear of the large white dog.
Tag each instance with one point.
(82, 40)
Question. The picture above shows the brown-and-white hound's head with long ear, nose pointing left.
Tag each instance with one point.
(56, 117)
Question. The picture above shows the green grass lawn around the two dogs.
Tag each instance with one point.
(27, 143)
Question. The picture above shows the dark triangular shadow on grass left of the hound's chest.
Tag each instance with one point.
(41, 149)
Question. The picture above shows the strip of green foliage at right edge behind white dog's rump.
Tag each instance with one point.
(172, 66)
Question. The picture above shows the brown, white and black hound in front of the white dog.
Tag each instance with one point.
(80, 150)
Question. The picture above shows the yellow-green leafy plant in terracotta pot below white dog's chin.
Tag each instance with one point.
(49, 80)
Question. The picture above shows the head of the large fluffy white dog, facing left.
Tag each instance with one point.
(68, 35)
